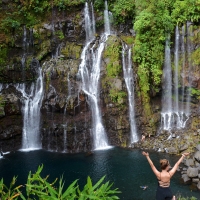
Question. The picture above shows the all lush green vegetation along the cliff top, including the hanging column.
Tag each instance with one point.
(152, 21)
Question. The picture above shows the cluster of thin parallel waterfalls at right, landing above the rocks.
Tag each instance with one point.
(174, 115)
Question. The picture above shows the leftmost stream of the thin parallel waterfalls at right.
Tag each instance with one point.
(166, 114)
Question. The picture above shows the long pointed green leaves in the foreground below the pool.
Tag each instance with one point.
(38, 187)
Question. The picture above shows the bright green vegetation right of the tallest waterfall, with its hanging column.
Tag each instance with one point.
(152, 21)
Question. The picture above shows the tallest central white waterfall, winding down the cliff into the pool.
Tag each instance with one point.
(89, 71)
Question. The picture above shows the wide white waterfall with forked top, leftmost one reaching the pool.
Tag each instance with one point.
(32, 100)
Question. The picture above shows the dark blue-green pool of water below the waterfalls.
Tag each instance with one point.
(127, 169)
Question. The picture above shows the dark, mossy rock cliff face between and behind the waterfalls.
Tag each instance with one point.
(66, 117)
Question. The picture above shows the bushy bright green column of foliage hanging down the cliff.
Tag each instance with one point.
(151, 25)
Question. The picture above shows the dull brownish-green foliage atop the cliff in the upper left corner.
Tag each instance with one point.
(32, 12)
